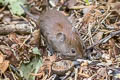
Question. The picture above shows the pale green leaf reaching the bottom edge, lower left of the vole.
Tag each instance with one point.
(32, 67)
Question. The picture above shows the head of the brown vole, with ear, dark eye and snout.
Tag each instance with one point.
(70, 46)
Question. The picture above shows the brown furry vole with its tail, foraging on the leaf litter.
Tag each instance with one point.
(59, 34)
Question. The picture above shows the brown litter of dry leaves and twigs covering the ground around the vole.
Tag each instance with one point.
(97, 22)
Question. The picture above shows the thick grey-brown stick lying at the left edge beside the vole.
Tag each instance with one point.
(20, 28)
